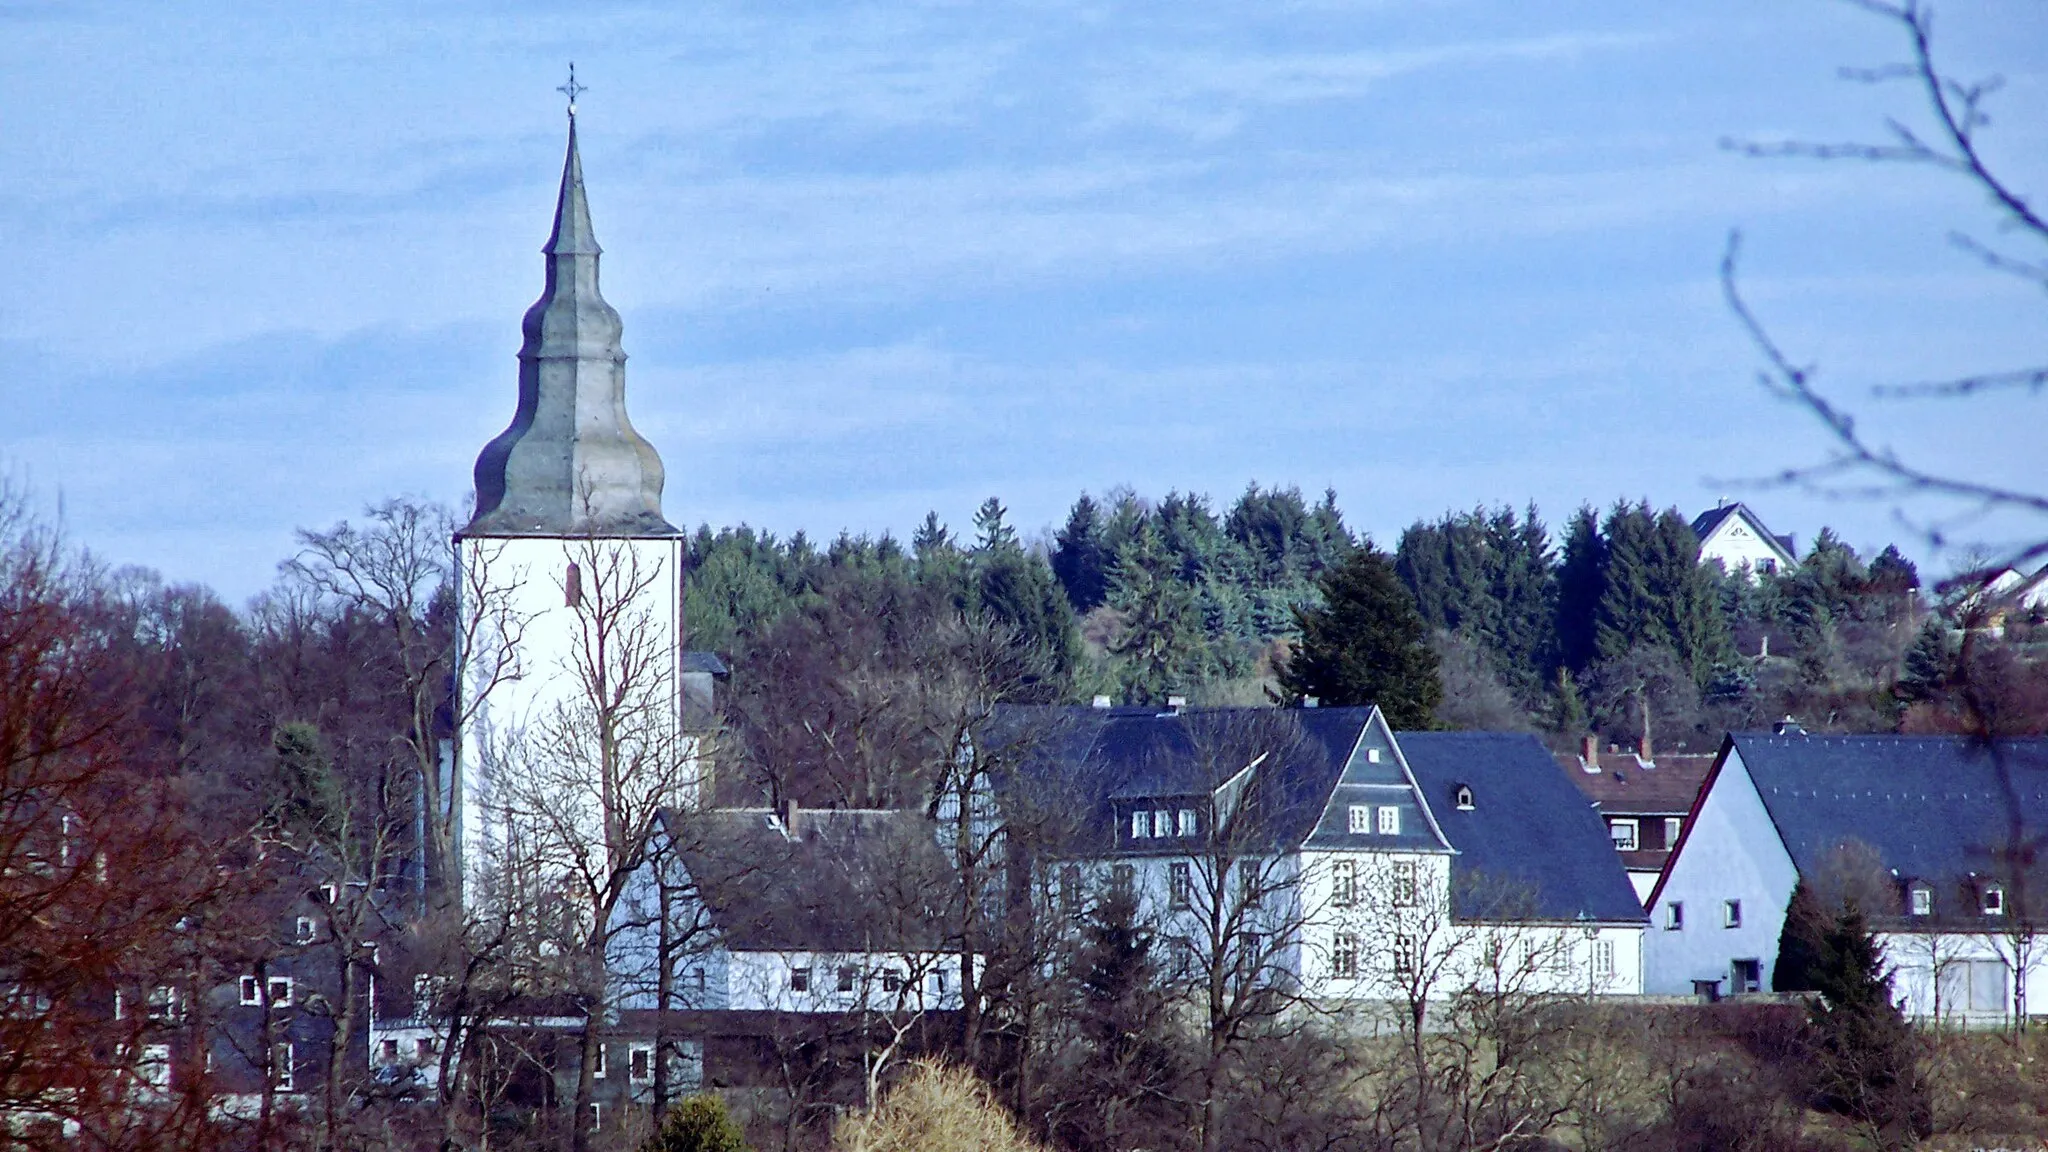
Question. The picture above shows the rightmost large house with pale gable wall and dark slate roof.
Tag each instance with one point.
(1930, 835)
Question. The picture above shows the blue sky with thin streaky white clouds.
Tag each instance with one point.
(267, 261)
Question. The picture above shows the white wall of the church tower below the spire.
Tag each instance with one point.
(527, 780)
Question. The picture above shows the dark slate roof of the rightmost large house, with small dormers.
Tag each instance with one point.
(1932, 807)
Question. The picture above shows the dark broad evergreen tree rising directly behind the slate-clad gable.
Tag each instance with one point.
(1367, 645)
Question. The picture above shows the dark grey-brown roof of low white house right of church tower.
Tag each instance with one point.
(847, 882)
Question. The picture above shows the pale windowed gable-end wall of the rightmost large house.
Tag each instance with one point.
(1732, 852)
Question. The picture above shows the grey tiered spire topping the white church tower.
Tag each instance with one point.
(570, 464)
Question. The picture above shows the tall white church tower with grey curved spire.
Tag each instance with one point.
(570, 702)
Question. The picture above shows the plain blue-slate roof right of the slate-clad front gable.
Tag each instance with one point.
(1531, 835)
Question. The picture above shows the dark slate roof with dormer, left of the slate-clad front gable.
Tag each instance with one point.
(1109, 757)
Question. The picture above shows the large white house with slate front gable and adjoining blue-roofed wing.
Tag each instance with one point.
(1320, 852)
